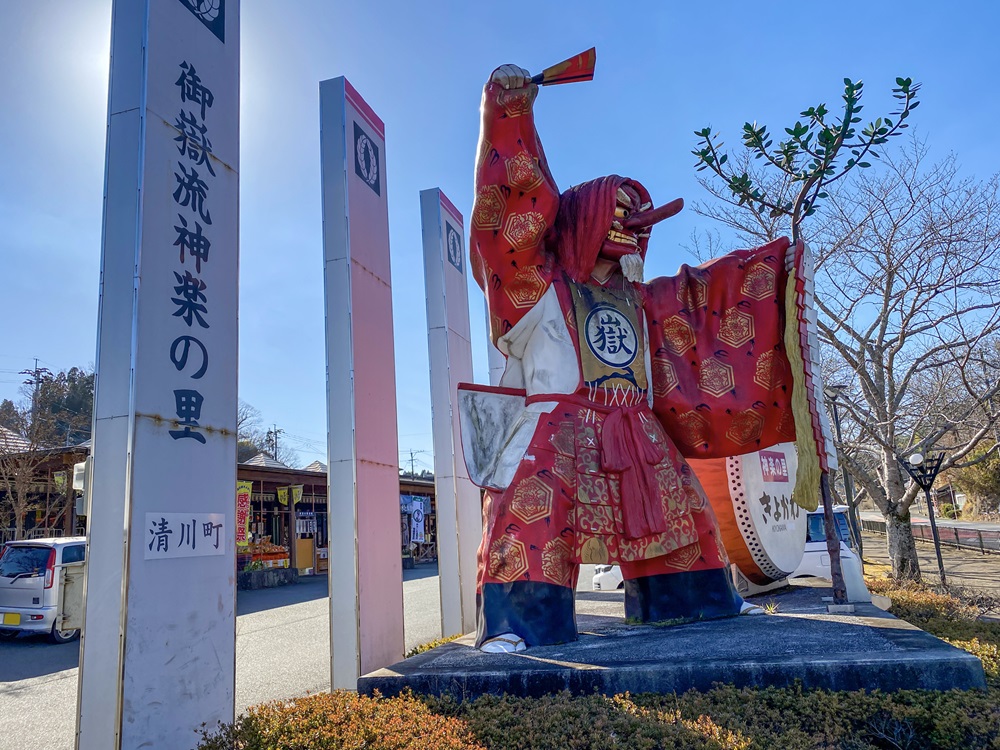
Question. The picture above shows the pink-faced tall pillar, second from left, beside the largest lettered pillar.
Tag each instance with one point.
(363, 476)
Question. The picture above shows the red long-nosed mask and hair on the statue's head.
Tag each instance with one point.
(607, 219)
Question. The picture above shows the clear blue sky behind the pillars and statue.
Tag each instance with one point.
(662, 72)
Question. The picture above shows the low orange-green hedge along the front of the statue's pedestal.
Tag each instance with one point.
(725, 718)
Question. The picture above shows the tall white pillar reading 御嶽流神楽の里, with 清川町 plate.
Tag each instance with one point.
(165, 430)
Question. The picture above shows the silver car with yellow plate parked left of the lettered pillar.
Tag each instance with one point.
(32, 580)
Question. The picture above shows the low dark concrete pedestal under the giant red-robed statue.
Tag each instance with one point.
(868, 649)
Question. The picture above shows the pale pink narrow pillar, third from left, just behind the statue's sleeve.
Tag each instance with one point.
(449, 346)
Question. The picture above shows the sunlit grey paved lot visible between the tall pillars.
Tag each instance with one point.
(282, 650)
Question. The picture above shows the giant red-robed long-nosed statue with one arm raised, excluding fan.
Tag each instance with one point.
(610, 385)
